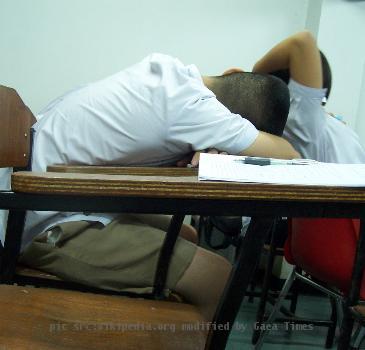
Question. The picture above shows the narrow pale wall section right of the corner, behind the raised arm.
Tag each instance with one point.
(341, 38)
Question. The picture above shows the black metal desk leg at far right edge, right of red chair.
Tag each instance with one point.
(354, 293)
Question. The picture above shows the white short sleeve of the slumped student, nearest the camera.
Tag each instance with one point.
(206, 123)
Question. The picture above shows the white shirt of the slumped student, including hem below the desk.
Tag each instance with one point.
(151, 114)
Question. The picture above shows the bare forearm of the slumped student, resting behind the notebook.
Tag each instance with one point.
(268, 145)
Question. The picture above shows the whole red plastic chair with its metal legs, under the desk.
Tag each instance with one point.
(324, 250)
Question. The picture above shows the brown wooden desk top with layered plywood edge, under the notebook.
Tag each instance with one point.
(173, 183)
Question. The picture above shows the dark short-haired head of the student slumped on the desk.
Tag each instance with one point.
(262, 99)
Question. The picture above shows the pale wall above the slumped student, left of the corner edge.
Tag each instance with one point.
(50, 46)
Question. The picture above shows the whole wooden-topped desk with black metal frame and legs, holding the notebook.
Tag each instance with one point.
(178, 191)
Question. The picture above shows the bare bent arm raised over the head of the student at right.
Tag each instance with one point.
(298, 53)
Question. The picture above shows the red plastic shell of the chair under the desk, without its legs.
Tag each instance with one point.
(324, 249)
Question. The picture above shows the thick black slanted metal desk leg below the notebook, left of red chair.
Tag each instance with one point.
(241, 276)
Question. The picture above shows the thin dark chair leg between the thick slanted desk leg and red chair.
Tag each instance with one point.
(265, 288)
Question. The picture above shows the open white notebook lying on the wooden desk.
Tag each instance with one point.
(233, 168)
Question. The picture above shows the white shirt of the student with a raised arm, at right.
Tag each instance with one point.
(317, 135)
